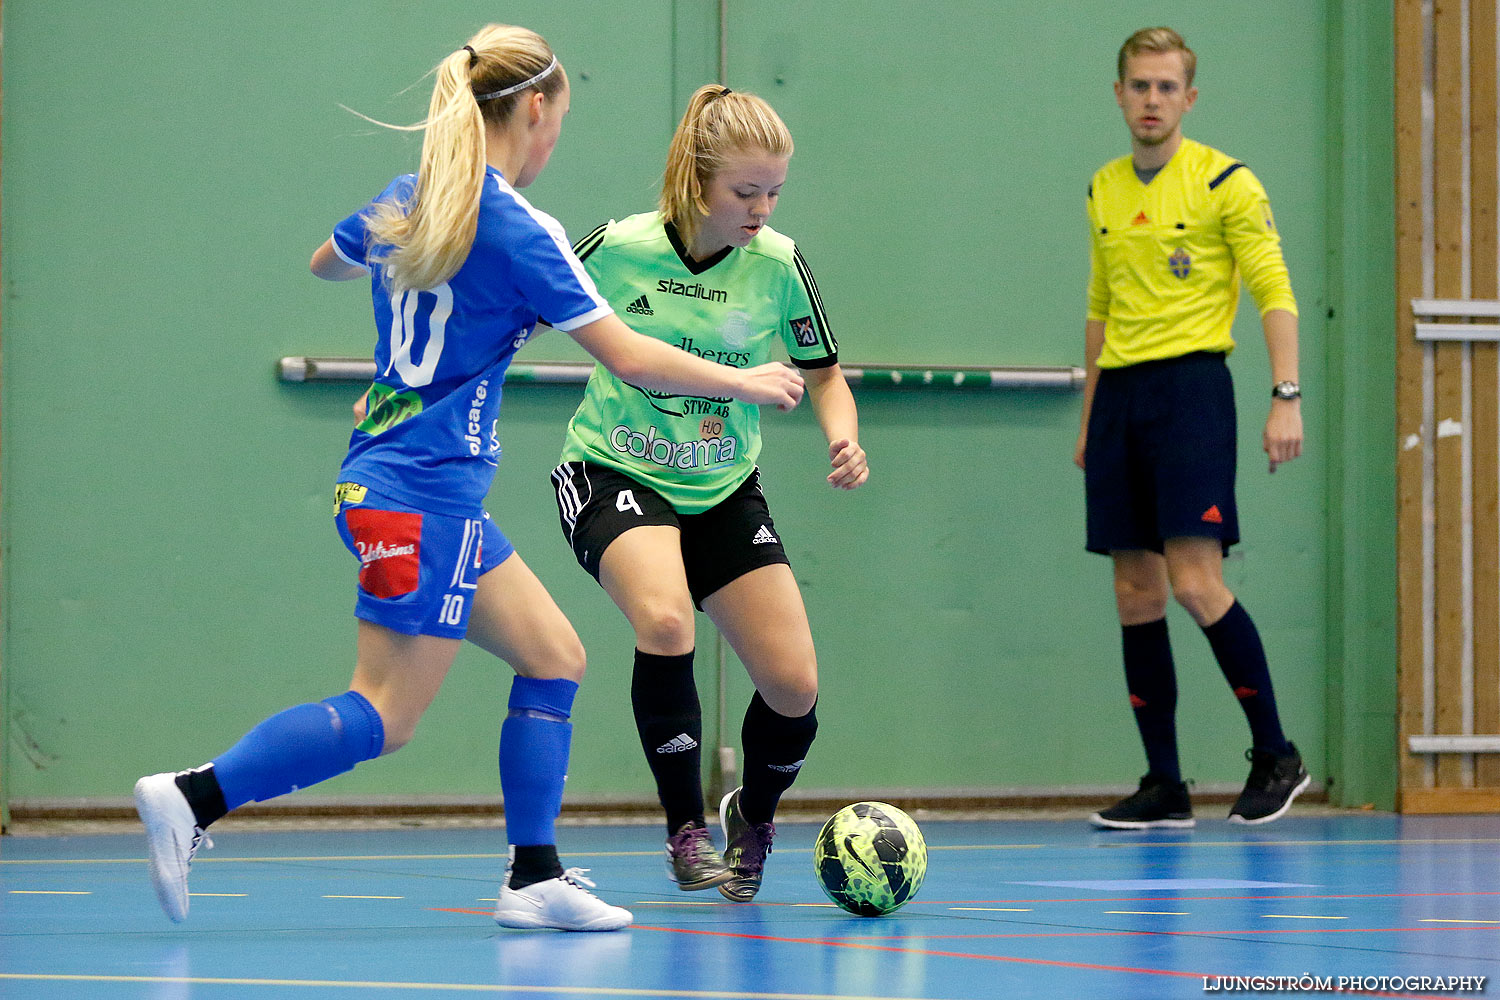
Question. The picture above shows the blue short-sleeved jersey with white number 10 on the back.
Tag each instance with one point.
(442, 355)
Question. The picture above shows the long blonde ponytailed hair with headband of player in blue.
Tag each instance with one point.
(431, 235)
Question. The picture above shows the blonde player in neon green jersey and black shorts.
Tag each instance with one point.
(659, 493)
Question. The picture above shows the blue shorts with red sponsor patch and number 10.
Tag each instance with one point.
(418, 570)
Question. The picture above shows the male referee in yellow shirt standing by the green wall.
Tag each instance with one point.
(1174, 229)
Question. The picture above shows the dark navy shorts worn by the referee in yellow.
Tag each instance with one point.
(1160, 455)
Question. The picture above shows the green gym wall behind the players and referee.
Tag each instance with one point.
(170, 569)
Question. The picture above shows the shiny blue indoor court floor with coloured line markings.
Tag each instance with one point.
(1010, 909)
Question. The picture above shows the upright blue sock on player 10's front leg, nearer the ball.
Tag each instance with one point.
(535, 743)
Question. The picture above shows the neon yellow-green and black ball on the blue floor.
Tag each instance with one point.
(871, 858)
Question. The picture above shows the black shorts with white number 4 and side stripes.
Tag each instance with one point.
(598, 504)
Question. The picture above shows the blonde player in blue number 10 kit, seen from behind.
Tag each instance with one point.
(461, 268)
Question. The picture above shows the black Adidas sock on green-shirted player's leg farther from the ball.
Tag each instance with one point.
(671, 723)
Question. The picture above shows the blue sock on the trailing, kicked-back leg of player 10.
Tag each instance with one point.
(301, 747)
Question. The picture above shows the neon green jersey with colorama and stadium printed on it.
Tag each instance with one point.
(743, 307)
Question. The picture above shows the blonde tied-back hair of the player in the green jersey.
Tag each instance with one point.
(718, 124)
